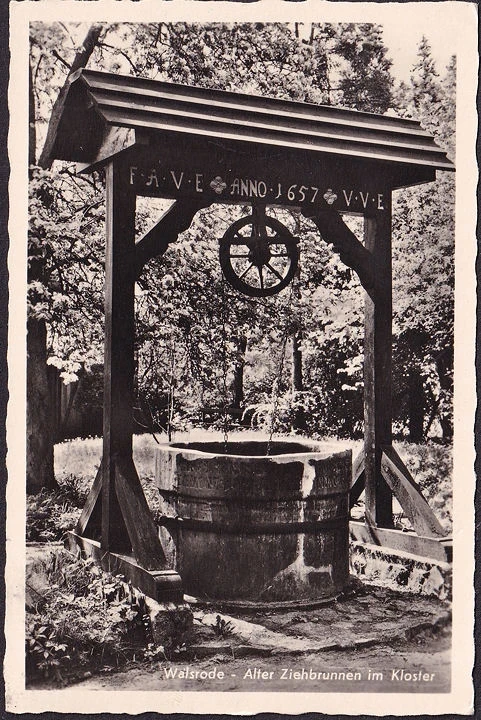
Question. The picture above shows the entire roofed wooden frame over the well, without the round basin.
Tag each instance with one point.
(200, 147)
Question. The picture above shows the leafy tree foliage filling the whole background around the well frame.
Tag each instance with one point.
(196, 338)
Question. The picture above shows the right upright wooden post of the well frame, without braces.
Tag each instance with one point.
(378, 369)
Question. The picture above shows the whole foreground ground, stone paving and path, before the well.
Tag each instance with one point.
(374, 640)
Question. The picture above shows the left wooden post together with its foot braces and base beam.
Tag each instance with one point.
(116, 509)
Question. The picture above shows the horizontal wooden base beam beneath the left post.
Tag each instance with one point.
(161, 585)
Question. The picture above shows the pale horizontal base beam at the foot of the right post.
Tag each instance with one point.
(389, 539)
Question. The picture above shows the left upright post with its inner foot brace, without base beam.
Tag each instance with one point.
(126, 520)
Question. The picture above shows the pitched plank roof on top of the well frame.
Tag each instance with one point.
(97, 99)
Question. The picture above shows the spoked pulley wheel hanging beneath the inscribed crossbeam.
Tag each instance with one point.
(258, 255)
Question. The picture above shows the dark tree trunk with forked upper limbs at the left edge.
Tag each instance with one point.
(40, 413)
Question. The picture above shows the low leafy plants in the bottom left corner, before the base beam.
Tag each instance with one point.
(88, 619)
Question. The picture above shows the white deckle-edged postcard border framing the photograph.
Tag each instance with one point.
(462, 20)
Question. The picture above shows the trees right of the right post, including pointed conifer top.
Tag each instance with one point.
(423, 246)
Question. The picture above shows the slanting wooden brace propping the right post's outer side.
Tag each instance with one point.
(409, 495)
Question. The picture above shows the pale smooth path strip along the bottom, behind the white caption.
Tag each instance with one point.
(379, 669)
